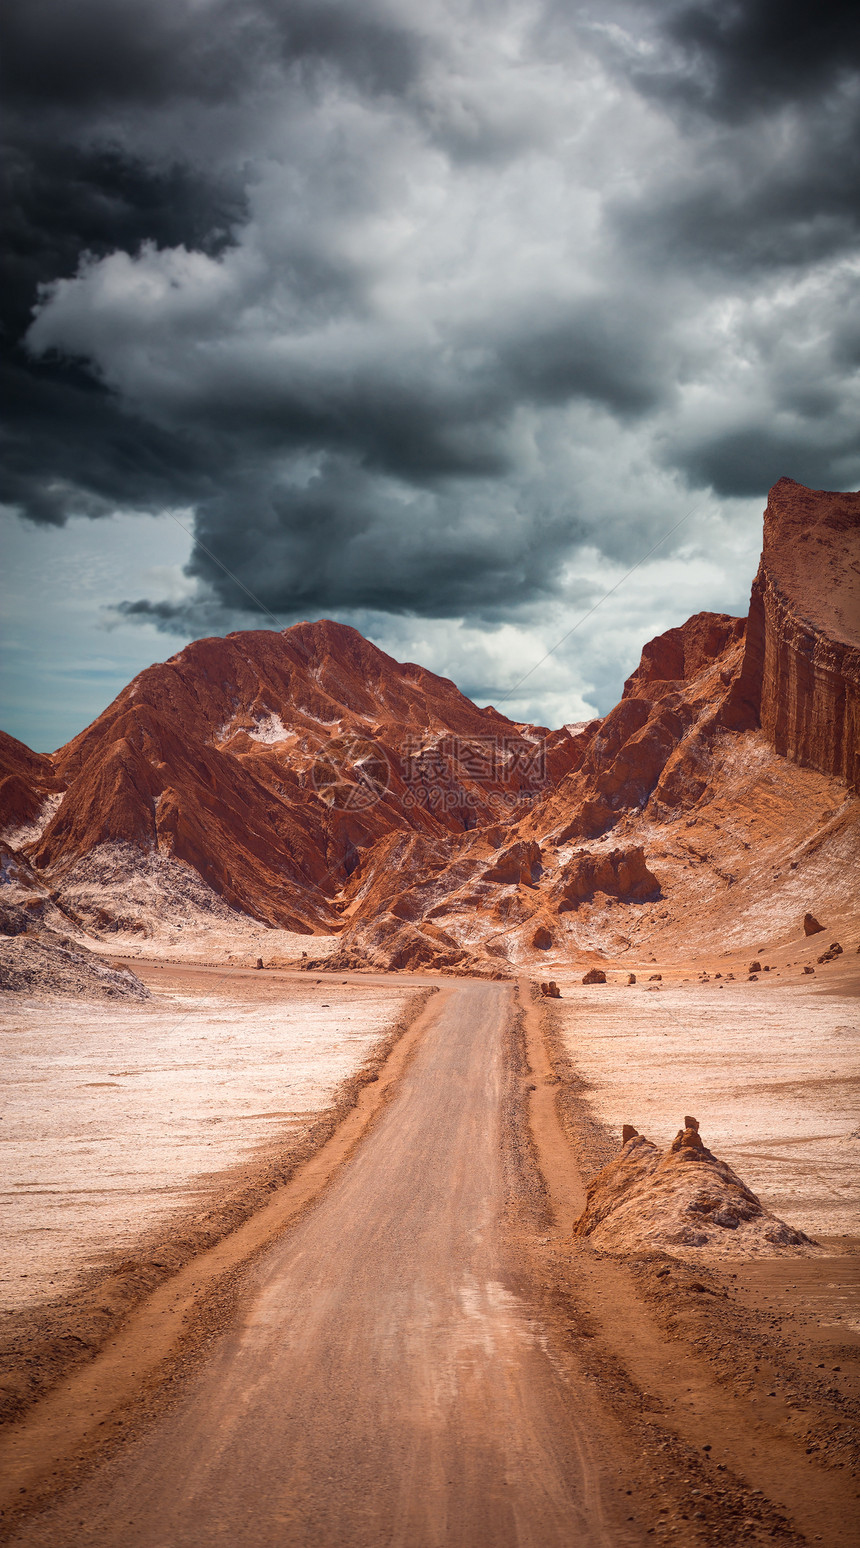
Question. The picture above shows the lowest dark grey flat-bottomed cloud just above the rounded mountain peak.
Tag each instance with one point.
(346, 543)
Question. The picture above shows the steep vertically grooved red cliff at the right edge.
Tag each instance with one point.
(800, 679)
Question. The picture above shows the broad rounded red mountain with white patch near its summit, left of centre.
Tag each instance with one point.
(271, 762)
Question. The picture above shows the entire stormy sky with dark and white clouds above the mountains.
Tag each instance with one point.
(432, 317)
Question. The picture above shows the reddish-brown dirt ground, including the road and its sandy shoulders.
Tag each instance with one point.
(409, 1348)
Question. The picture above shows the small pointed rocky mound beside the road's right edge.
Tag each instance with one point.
(680, 1199)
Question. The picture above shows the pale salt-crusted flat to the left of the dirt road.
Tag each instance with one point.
(115, 1117)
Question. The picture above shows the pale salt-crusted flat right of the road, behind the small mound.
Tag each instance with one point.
(771, 1074)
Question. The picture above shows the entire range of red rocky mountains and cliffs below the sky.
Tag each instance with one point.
(313, 783)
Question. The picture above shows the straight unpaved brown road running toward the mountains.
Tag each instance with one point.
(381, 1385)
